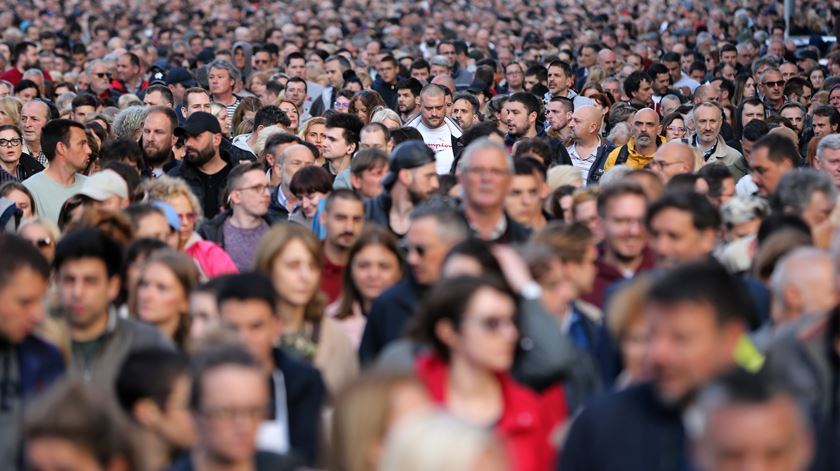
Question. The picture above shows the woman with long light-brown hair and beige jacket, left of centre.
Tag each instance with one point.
(291, 256)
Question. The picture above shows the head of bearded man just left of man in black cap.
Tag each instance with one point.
(158, 140)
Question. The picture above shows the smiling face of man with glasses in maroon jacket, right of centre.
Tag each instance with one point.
(624, 226)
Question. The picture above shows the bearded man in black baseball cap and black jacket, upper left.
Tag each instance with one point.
(205, 168)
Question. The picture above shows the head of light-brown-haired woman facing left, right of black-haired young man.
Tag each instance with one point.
(163, 291)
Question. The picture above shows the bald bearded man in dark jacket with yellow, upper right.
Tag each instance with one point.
(638, 152)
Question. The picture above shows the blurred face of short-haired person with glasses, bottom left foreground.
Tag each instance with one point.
(233, 405)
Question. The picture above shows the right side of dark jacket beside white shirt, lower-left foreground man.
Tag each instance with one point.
(305, 395)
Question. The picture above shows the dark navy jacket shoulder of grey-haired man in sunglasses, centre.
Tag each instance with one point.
(388, 317)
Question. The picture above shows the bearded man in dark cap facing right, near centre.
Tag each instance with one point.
(411, 179)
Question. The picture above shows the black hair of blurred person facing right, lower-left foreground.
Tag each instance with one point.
(149, 373)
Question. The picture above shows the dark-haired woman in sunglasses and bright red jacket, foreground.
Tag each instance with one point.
(471, 326)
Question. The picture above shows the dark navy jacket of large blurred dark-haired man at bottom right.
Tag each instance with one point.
(630, 429)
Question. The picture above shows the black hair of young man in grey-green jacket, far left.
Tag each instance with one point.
(89, 242)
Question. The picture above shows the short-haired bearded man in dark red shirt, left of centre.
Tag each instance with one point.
(343, 219)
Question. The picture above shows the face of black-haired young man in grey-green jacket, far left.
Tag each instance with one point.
(85, 291)
